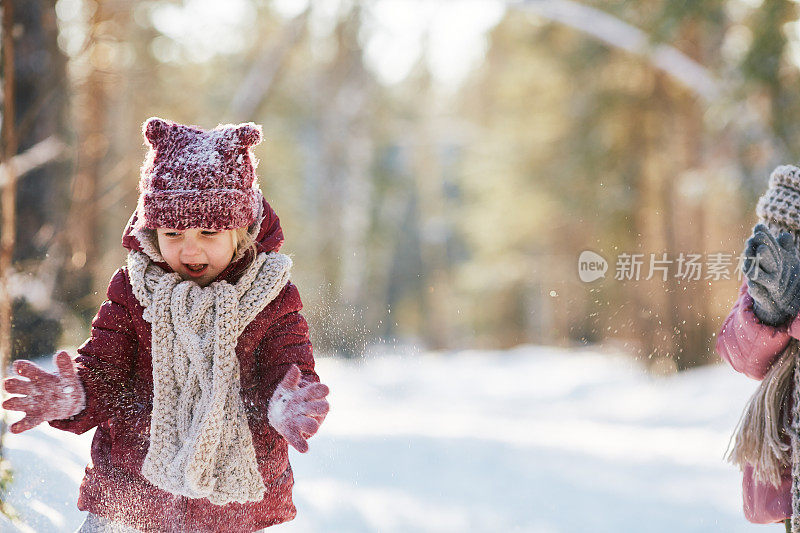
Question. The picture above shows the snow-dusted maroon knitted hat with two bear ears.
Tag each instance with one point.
(192, 178)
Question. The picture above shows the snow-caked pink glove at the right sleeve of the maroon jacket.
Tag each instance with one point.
(297, 408)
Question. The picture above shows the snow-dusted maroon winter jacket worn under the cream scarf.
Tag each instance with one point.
(115, 367)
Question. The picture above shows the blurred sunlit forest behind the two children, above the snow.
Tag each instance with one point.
(438, 167)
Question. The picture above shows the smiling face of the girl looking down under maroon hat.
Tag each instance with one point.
(197, 254)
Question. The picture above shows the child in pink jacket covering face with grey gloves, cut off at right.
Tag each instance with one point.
(760, 339)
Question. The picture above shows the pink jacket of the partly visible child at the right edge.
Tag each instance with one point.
(750, 346)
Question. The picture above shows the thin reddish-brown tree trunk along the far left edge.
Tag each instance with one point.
(8, 201)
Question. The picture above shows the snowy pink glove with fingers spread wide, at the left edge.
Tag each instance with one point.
(46, 396)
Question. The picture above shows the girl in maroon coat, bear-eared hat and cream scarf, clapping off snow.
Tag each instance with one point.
(199, 369)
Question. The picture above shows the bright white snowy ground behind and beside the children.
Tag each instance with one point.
(534, 439)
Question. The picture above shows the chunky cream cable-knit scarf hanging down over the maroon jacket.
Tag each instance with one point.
(200, 441)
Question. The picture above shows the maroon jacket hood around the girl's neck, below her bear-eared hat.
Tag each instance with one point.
(266, 231)
